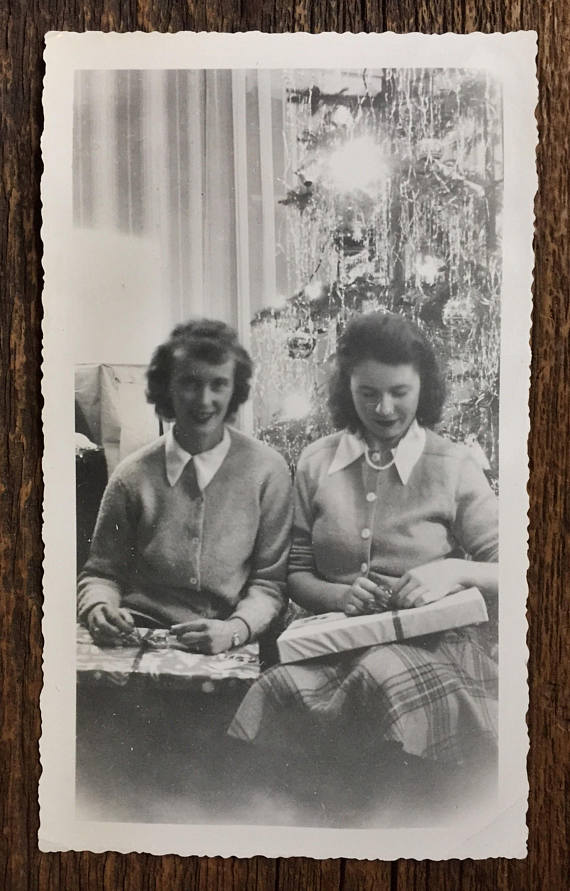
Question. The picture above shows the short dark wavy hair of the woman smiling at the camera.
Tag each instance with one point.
(205, 339)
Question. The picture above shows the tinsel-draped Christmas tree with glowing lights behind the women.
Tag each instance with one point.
(394, 203)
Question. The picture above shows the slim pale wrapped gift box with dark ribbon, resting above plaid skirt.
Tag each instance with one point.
(334, 632)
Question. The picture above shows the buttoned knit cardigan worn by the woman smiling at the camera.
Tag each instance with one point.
(174, 554)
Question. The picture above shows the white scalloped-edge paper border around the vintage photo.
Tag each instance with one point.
(498, 829)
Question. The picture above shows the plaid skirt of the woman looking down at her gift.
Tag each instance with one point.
(436, 696)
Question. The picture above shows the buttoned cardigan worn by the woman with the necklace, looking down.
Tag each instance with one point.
(357, 520)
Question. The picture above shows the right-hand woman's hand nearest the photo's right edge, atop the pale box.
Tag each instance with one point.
(428, 583)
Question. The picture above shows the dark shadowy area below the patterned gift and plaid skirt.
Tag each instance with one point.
(163, 756)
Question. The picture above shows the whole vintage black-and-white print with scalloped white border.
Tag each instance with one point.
(286, 378)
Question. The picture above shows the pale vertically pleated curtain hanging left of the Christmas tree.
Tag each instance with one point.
(188, 164)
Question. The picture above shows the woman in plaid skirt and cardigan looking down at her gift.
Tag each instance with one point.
(388, 514)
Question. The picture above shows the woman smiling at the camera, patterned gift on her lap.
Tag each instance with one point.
(193, 530)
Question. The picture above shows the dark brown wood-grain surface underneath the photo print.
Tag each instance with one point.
(23, 25)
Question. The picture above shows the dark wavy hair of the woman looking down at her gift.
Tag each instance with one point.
(393, 340)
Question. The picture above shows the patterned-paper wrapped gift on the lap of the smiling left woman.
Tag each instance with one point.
(167, 665)
